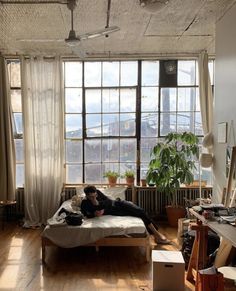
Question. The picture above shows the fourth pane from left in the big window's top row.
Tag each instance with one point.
(129, 73)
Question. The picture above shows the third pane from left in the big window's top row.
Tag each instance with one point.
(110, 74)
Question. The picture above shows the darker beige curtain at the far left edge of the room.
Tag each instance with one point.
(7, 145)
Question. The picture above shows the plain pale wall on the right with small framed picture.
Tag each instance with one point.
(225, 94)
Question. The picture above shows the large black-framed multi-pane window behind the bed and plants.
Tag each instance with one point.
(117, 111)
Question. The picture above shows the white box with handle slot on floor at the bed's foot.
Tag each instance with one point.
(168, 270)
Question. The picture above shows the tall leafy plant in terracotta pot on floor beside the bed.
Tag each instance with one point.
(172, 163)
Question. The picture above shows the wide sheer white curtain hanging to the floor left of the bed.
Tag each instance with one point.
(43, 137)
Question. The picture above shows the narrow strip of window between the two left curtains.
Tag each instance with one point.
(15, 91)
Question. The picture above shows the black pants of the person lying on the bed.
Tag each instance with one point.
(127, 208)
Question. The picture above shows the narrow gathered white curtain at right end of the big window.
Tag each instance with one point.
(205, 93)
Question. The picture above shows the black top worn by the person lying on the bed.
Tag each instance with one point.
(88, 209)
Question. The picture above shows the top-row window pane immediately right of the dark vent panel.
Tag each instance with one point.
(186, 73)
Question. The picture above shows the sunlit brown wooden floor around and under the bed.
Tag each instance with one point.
(112, 268)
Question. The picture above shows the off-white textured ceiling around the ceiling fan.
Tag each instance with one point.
(182, 27)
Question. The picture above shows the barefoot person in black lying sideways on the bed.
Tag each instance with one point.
(97, 204)
